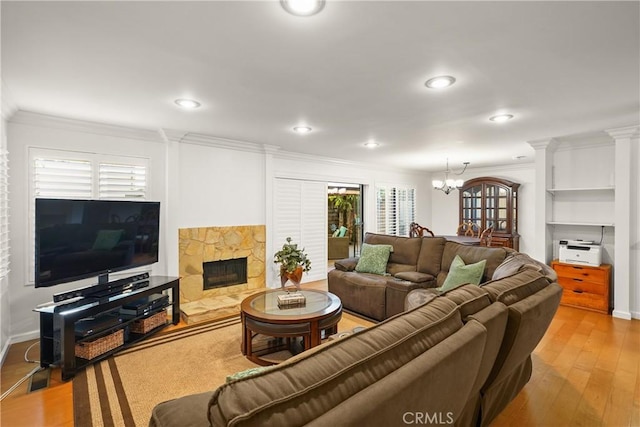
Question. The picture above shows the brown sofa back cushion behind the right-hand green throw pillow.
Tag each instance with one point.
(471, 255)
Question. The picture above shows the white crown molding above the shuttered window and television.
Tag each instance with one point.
(43, 120)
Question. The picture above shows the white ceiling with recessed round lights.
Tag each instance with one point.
(354, 72)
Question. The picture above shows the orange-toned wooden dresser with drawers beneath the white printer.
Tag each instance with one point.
(584, 286)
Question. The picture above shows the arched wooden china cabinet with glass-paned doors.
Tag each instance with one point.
(493, 202)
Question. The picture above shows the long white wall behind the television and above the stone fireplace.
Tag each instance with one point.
(201, 181)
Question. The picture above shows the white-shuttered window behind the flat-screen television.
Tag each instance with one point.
(74, 175)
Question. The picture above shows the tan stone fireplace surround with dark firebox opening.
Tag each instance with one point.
(198, 246)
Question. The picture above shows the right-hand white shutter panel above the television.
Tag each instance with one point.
(121, 181)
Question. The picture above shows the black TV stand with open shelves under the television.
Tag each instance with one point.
(58, 321)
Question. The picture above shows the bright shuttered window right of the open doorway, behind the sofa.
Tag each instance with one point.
(395, 210)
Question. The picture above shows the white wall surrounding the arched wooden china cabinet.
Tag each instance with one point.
(445, 208)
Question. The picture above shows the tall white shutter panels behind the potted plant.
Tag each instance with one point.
(300, 212)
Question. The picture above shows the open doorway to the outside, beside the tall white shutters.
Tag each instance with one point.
(344, 220)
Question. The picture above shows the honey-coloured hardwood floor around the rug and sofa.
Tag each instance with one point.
(586, 372)
